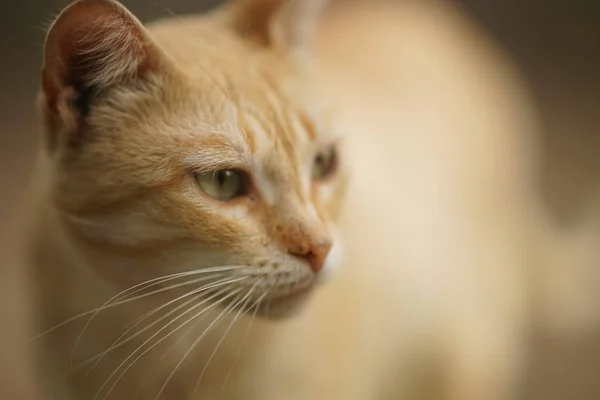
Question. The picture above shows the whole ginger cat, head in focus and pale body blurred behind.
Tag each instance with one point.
(203, 177)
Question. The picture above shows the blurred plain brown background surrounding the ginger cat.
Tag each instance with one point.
(556, 47)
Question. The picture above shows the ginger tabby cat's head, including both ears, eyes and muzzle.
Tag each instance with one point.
(193, 148)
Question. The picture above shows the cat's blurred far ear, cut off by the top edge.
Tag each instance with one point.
(287, 24)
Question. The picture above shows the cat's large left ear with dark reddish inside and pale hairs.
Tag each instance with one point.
(91, 46)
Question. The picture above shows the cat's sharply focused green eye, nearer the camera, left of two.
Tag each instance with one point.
(222, 185)
